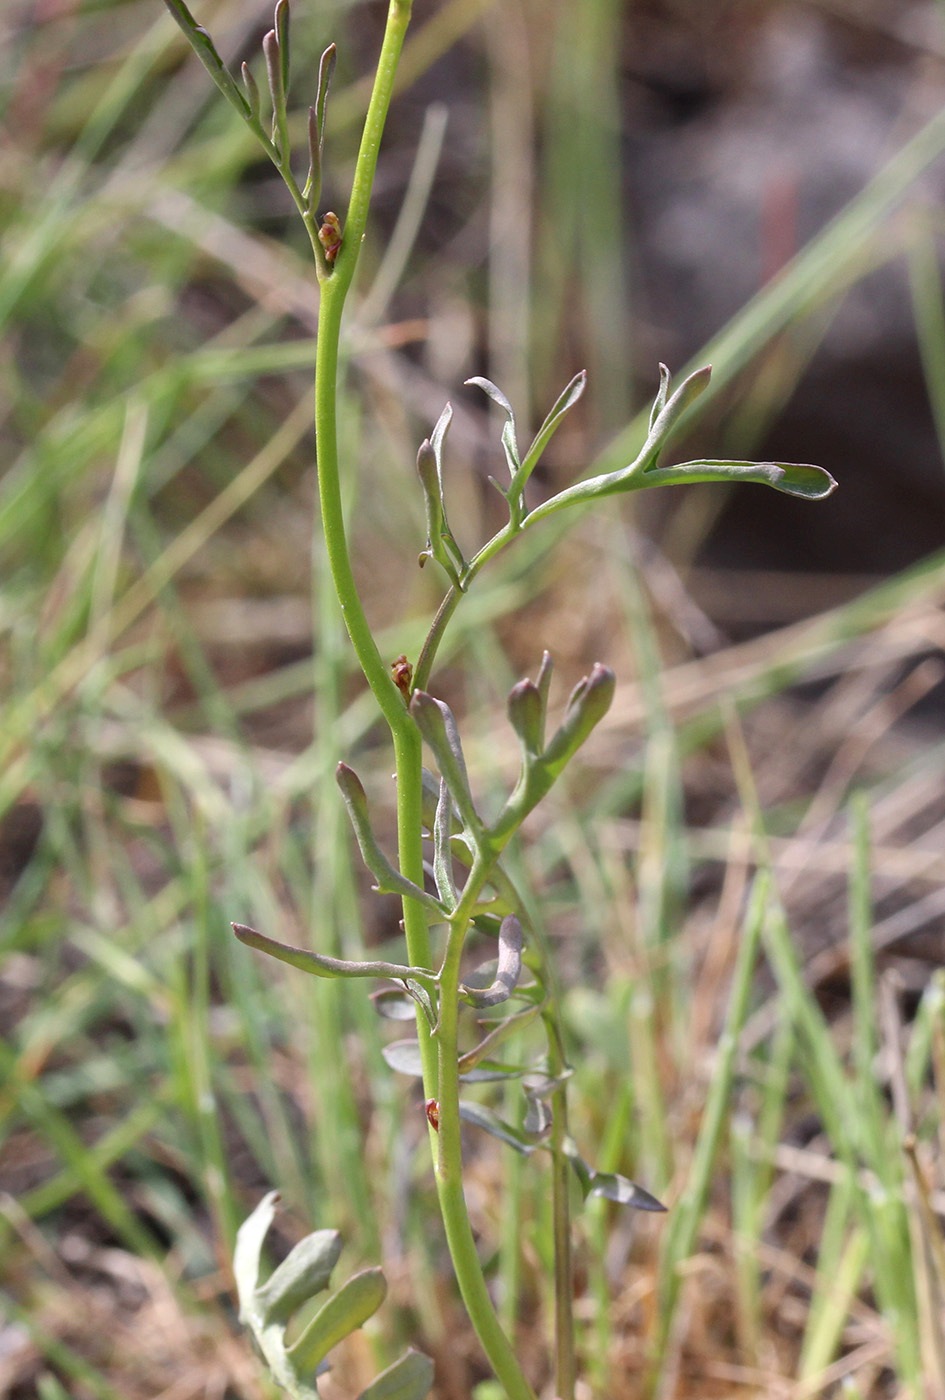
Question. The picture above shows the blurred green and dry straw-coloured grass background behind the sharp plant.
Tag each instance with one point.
(744, 877)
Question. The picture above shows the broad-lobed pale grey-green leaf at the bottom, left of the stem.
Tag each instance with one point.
(269, 1307)
